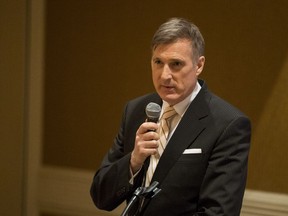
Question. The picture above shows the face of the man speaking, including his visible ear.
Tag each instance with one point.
(173, 71)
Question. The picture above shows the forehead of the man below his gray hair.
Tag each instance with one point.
(180, 48)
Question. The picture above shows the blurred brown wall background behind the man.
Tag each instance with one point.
(67, 68)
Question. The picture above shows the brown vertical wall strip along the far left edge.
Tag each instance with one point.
(12, 102)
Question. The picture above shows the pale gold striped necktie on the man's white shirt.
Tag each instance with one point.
(164, 130)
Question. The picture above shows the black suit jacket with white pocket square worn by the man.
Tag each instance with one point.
(210, 183)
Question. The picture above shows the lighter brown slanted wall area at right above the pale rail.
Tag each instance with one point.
(269, 156)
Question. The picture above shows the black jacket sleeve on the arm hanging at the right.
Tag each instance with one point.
(224, 183)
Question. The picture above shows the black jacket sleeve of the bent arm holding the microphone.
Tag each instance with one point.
(110, 186)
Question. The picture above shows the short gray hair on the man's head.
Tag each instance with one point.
(179, 28)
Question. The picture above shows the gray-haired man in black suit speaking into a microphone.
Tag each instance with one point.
(203, 167)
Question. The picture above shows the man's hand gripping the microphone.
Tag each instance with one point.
(146, 144)
